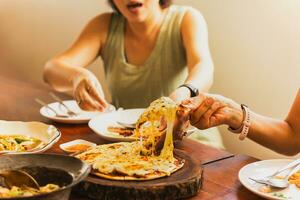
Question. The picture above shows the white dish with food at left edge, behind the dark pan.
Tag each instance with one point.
(18, 137)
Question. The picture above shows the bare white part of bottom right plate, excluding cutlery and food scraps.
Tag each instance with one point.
(263, 169)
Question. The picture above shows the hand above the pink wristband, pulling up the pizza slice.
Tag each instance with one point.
(208, 110)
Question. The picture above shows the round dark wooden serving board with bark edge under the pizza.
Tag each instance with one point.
(183, 183)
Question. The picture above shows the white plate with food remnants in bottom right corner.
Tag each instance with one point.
(260, 170)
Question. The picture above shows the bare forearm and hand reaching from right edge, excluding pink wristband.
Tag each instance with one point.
(282, 136)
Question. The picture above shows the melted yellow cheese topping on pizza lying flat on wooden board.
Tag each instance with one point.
(124, 158)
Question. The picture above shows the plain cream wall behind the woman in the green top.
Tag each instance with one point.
(255, 45)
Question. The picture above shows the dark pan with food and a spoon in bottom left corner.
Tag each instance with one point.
(53, 175)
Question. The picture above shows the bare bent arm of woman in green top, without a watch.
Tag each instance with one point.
(66, 72)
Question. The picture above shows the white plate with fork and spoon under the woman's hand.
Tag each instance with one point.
(69, 112)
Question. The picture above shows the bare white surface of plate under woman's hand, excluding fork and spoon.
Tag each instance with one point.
(81, 118)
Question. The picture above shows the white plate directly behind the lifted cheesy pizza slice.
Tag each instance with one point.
(100, 123)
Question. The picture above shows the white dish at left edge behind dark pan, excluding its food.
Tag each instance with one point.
(44, 132)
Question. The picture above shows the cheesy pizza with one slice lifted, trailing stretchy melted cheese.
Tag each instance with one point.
(138, 160)
